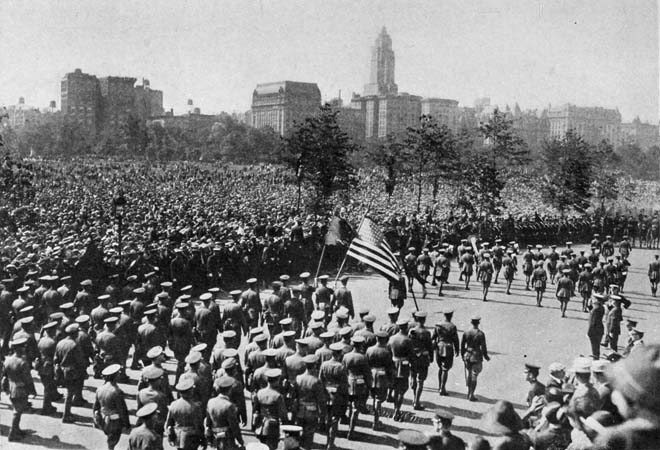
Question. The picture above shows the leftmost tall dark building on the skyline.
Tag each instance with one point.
(81, 99)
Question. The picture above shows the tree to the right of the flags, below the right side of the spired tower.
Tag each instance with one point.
(431, 154)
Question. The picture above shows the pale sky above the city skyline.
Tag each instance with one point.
(534, 52)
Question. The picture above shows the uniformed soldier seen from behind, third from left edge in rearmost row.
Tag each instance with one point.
(69, 362)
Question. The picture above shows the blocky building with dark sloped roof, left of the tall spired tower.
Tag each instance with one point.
(282, 104)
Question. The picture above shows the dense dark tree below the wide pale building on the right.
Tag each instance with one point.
(570, 172)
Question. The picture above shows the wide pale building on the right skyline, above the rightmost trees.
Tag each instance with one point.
(593, 124)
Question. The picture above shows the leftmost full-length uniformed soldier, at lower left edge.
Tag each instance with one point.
(17, 384)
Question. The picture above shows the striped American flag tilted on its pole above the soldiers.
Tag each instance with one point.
(371, 248)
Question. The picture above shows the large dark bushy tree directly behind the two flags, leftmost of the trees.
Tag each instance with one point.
(318, 152)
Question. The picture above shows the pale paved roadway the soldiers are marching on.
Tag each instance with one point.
(516, 331)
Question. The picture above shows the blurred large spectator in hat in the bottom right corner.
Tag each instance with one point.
(635, 383)
